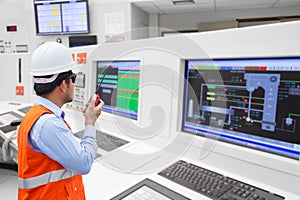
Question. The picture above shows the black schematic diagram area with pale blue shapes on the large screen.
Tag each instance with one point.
(252, 101)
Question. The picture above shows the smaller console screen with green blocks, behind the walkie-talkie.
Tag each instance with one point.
(117, 83)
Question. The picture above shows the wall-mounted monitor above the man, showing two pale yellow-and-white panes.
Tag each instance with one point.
(61, 16)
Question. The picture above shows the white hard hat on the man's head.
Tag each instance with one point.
(51, 58)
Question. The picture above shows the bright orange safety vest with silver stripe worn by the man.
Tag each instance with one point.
(40, 177)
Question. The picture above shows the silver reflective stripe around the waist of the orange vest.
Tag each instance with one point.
(29, 183)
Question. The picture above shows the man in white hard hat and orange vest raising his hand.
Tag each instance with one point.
(51, 159)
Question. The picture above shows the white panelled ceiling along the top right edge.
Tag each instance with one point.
(167, 6)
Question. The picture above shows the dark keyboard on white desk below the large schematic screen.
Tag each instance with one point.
(214, 185)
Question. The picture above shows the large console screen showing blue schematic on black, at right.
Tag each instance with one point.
(248, 102)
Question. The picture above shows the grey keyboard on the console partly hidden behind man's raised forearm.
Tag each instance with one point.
(105, 141)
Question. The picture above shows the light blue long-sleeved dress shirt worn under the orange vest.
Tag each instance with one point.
(51, 136)
